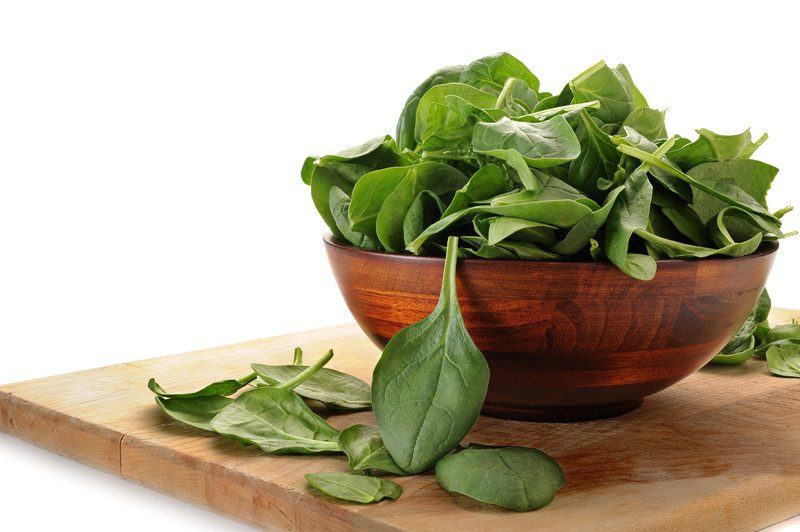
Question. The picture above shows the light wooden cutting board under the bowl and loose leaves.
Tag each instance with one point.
(719, 450)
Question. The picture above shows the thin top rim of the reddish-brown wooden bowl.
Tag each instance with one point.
(766, 248)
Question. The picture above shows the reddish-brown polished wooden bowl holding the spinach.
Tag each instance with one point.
(564, 340)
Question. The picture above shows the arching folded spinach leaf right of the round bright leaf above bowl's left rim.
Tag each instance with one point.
(439, 178)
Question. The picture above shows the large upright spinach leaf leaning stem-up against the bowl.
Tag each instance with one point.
(429, 384)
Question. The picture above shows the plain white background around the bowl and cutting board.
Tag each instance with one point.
(150, 152)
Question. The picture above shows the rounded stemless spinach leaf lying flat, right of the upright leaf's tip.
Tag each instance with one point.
(519, 478)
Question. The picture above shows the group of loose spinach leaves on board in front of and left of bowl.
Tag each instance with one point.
(428, 389)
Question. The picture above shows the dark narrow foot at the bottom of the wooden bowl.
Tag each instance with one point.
(562, 412)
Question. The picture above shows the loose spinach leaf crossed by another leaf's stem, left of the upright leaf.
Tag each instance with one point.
(338, 391)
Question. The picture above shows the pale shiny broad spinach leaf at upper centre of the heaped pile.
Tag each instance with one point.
(542, 144)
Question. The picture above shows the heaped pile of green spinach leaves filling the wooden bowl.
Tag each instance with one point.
(588, 173)
